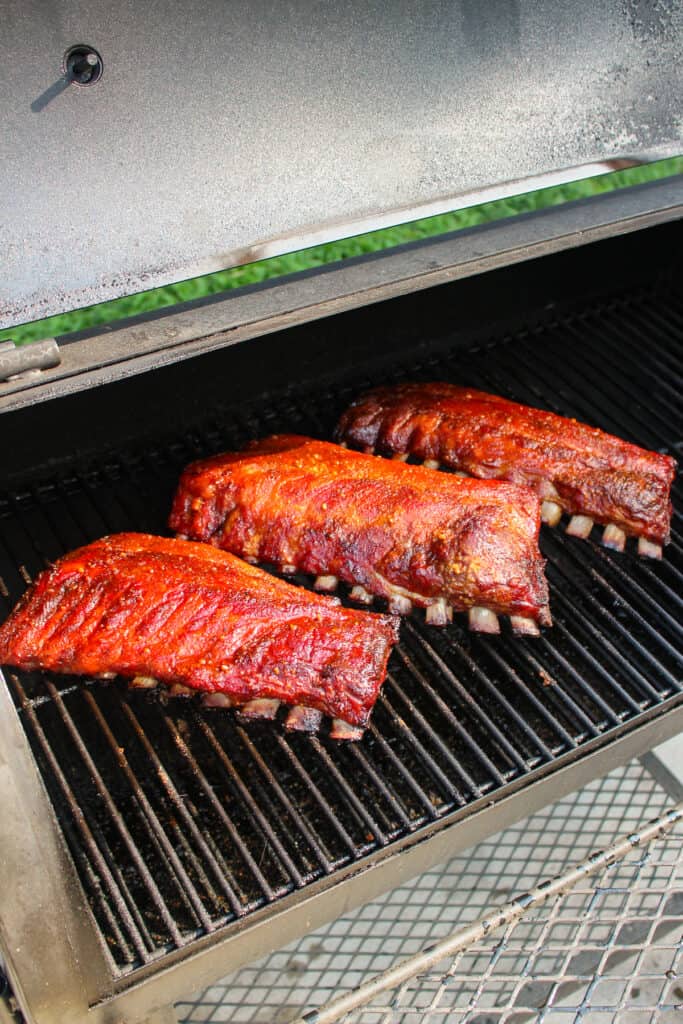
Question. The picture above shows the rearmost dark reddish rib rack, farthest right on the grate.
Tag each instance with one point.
(573, 467)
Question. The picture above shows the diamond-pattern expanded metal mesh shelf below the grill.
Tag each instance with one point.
(546, 962)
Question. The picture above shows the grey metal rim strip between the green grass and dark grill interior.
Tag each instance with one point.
(114, 353)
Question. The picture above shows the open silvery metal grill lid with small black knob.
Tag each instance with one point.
(200, 138)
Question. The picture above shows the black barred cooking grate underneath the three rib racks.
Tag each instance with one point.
(182, 821)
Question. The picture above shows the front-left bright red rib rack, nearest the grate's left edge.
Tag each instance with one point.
(186, 614)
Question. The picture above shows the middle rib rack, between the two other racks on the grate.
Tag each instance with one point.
(395, 531)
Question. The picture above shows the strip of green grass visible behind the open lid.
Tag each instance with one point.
(106, 313)
